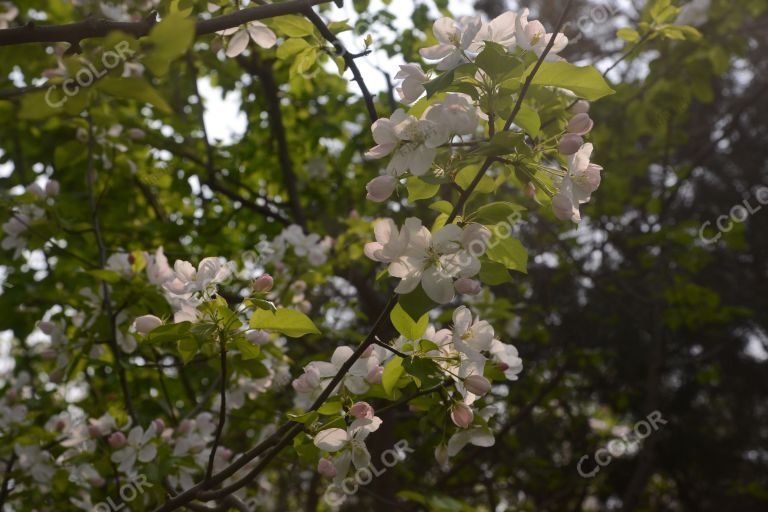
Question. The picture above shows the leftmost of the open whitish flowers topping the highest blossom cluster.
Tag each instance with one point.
(454, 40)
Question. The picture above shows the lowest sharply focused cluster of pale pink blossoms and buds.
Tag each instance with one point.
(462, 353)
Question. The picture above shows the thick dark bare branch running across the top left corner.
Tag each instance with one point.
(73, 33)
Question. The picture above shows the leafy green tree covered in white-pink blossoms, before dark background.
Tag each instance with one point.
(196, 322)
